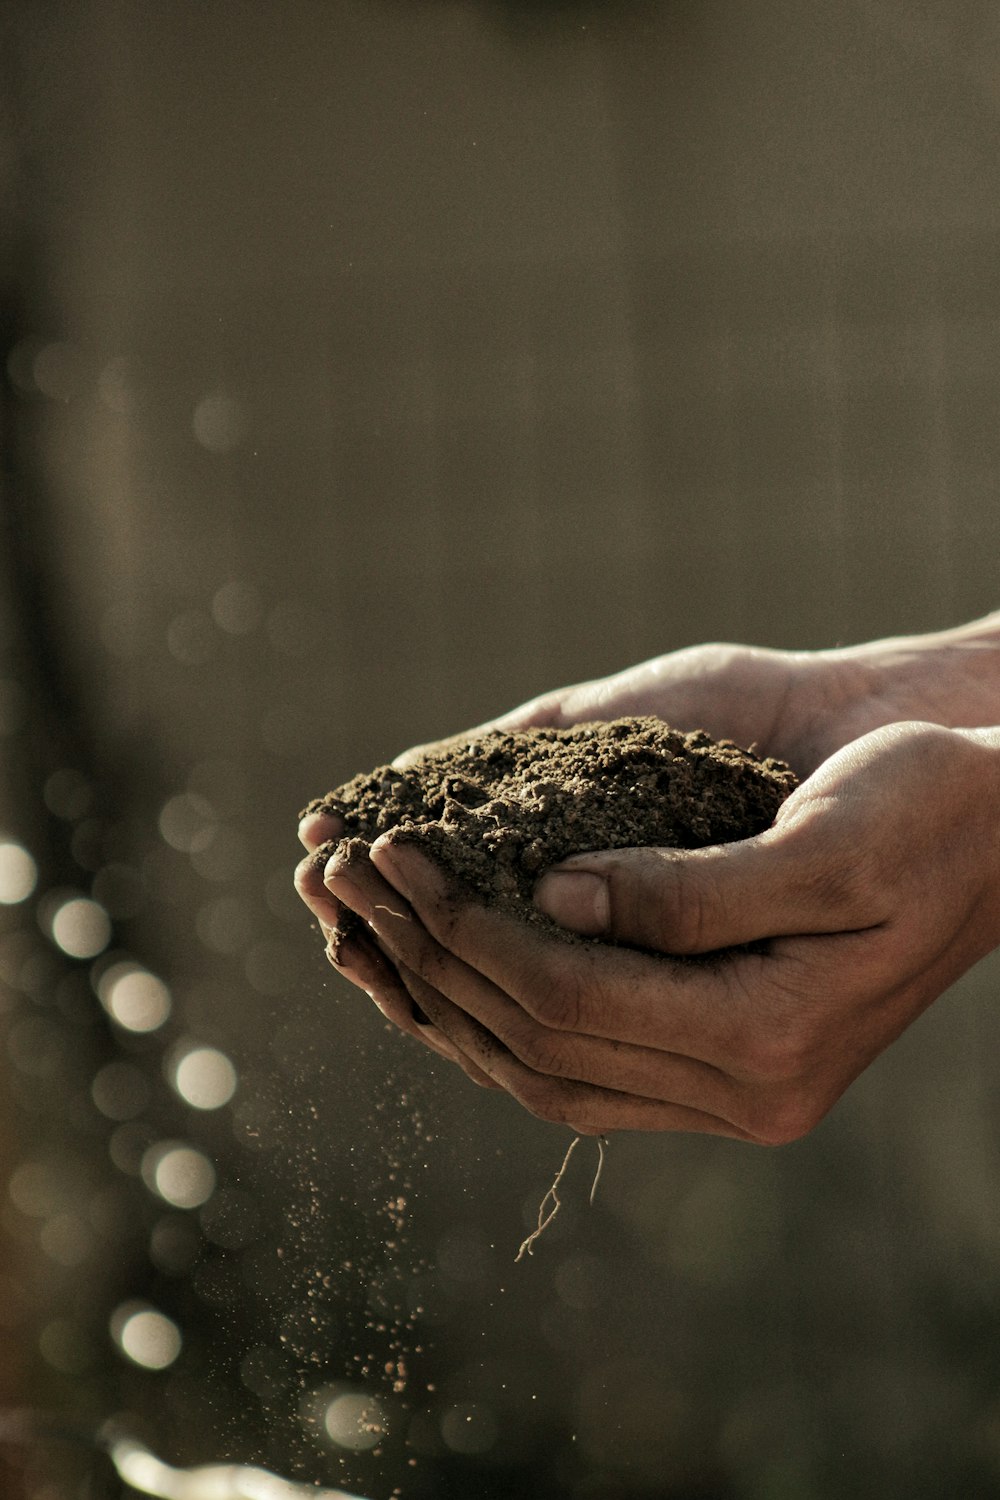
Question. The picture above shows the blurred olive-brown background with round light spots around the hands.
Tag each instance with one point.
(370, 367)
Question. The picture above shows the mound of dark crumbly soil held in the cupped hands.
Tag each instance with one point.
(497, 811)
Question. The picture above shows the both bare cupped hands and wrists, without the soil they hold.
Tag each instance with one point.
(875, 890)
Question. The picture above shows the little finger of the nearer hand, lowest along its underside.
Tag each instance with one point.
(582, 1106)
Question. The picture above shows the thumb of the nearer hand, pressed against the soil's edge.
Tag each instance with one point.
(698, 901)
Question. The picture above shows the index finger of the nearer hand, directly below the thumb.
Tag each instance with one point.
(704, 1010)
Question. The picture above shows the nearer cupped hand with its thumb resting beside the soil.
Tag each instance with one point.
(873, 892)
